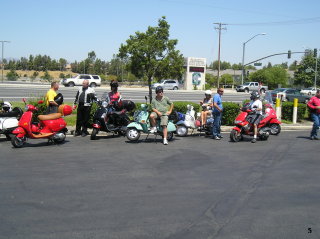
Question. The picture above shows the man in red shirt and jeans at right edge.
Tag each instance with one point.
(314, 105)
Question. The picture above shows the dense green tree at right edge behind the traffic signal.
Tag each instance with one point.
(304, 74)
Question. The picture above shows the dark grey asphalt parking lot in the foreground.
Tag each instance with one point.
(193, 188)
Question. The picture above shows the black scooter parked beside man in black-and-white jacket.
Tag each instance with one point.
(112, 117)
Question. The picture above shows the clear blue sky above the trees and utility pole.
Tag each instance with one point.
(70, 29)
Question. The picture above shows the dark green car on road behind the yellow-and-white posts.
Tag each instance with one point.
(288, 94)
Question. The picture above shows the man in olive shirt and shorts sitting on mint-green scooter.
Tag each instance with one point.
(162, 108)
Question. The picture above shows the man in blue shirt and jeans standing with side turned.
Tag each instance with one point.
(217, 114)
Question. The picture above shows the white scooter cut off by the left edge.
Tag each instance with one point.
(9, 119)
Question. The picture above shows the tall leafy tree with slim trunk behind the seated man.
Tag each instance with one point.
(152, 54)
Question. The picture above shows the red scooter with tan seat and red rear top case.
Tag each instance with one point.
(51, 126)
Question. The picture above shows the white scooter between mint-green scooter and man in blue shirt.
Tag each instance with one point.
(190, 122)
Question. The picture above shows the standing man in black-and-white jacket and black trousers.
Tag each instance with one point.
(84, 99)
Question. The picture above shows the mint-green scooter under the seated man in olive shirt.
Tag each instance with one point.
(142, 124)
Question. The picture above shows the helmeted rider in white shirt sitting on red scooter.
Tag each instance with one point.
(256, 116)
